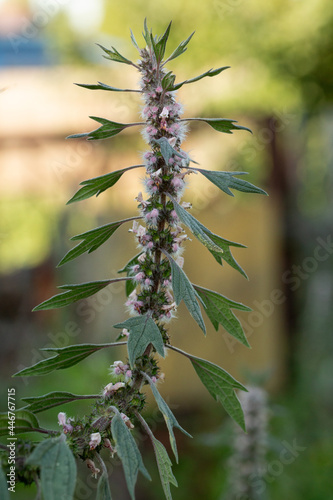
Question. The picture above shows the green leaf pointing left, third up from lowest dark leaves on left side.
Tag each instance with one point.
(75, 292)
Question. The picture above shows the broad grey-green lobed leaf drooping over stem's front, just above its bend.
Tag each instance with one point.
(143, 331)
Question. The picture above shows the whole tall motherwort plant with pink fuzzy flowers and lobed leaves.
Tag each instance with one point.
(155, 284)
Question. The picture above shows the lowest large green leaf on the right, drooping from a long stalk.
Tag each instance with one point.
(220, 384)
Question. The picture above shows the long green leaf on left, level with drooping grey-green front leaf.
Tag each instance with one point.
(65, 358)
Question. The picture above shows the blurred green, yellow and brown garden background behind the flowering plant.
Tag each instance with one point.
(280, 85)
